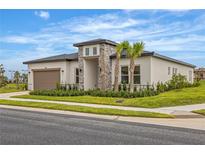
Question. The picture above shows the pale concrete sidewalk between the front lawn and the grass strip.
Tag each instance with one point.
(178, 111)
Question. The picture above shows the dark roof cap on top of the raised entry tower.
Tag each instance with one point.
(95, 41)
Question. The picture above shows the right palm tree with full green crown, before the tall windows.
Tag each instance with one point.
(133, 52)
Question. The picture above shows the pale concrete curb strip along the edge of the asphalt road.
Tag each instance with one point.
(191, 123)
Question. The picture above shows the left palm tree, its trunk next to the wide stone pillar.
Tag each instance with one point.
(119, 48)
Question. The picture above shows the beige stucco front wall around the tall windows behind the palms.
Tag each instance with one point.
(145, 68)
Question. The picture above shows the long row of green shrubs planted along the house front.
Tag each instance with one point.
(177, 82)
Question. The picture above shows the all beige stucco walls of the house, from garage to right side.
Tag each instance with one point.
(152, 70)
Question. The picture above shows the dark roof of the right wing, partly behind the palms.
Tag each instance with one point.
(154, 54)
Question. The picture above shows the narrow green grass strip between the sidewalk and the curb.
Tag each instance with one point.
(77, 108)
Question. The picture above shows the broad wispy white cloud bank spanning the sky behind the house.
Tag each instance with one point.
(157, 30)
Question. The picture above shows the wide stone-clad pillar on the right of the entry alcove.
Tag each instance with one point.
(105, 78)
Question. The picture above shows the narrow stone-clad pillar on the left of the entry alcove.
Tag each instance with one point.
(81, 67)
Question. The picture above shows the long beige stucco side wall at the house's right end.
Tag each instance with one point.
(159, 70)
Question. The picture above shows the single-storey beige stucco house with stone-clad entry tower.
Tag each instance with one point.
(93, 67)
